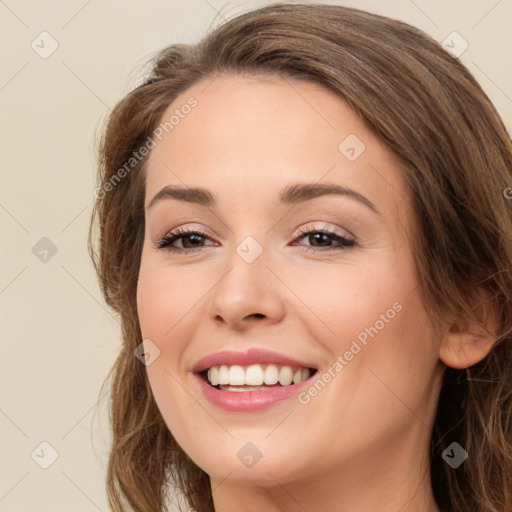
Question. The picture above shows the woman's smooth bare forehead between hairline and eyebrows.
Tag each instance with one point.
(251, 134)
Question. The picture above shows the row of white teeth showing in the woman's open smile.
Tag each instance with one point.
(255, 375)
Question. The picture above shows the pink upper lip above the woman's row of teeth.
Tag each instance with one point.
(247, 357)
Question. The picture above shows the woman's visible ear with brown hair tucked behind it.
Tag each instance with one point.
(470, 337)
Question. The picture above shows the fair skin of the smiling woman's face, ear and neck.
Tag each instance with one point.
(362, 442)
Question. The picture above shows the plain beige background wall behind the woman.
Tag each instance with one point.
(57, 337)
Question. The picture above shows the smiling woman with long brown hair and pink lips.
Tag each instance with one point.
(303, 227)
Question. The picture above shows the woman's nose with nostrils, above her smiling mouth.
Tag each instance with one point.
(246, 294)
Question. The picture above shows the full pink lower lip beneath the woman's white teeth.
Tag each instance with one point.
(248, 401)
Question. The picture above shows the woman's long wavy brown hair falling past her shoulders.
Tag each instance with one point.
(457, 159)
